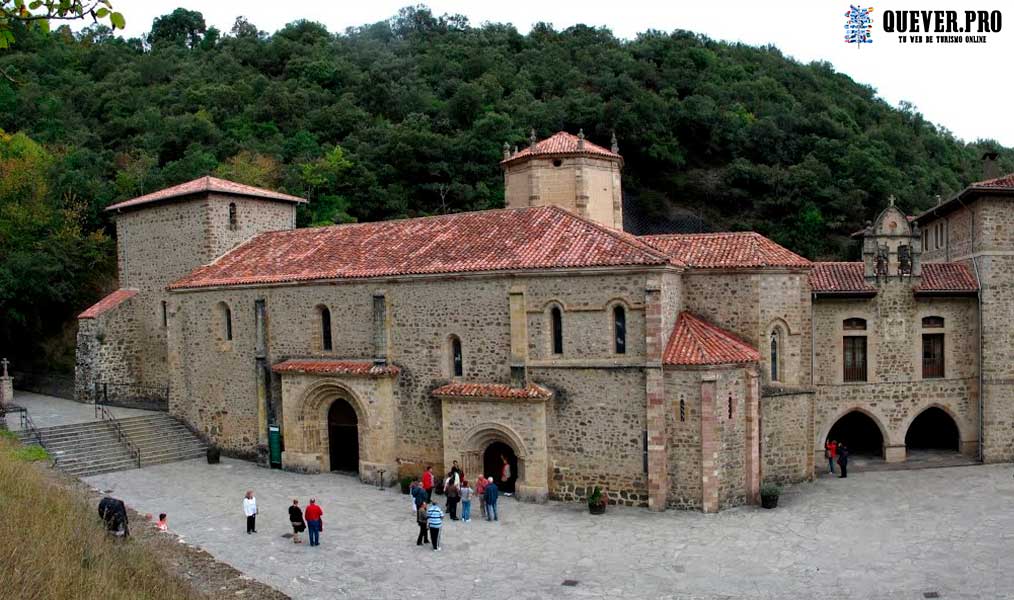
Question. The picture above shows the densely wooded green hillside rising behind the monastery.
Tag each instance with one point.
(408, 117)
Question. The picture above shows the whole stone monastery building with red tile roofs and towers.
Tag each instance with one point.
(675, 371)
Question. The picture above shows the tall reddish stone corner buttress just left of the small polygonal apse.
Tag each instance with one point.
(656, 413)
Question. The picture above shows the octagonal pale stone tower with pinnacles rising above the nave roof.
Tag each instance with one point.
(568, 172)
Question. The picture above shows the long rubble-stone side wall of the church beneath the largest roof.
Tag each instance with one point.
(596, 423)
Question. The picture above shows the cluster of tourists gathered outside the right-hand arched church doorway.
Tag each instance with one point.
(429, 515)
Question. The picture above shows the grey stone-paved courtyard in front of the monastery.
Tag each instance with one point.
(878, 536)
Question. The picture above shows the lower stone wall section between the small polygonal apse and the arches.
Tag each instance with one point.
(787, 436)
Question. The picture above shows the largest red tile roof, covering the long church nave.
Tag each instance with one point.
(508, 240)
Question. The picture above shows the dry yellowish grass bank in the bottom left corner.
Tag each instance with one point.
(53, 547)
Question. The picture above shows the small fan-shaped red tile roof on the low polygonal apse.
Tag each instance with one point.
(696, 342)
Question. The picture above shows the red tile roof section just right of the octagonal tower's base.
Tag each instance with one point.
(726, 251)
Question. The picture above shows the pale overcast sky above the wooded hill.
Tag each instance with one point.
(965, 88)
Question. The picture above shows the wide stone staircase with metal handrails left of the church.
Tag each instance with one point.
(90, 448)
